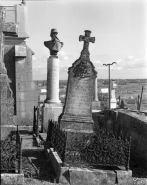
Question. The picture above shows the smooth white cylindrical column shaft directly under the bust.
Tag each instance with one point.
(52, 80)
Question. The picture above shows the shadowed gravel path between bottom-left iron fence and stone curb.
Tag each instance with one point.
(36, 169)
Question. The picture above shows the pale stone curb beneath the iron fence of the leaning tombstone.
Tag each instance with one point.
(84, 176)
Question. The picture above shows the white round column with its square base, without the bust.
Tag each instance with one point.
(52, 105)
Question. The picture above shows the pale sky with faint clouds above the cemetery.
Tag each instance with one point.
(119, 28)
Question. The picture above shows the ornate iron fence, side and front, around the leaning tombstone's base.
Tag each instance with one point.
(100, 148)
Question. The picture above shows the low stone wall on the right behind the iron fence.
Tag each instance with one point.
(129, 124)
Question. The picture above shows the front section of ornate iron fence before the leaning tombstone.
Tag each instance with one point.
(101, 149)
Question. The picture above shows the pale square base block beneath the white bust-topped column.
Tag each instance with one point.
(51, 111)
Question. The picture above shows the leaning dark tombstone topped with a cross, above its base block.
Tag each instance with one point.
(77, 111)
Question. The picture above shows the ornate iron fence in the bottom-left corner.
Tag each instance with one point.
(11, 153)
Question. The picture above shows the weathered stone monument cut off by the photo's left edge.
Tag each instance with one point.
(6, 96)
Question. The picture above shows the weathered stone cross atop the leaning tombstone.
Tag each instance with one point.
(85, 52)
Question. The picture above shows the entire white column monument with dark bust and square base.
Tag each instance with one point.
(52, 105)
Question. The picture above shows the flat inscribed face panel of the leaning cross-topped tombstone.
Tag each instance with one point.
(79, 101)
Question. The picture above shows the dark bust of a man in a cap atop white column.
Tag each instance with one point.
(54, 45)
